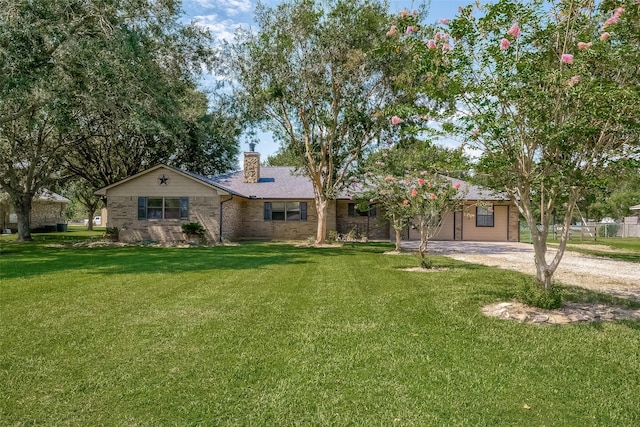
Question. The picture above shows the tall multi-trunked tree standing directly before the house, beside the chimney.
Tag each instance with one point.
(321, 75)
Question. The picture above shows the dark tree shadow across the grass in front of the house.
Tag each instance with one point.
(22, 260)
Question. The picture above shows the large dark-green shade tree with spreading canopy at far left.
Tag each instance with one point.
(73, 71)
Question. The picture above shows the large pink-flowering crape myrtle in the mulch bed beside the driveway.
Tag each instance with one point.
(549, 92)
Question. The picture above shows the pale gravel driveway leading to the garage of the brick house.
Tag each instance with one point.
(596, 273)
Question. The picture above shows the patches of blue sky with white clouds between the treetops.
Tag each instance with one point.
(223, 17)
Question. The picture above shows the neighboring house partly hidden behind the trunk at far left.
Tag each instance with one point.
(47, 213)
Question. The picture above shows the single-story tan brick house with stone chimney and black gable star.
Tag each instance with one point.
(269, 203)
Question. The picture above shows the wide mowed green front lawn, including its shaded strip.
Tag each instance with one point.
(272, 334)
